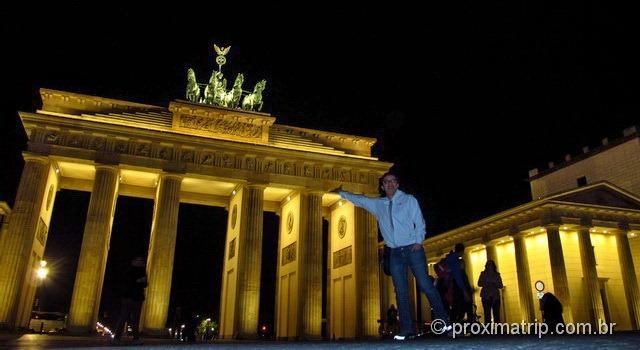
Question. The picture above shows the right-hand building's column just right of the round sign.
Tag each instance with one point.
(559, 271)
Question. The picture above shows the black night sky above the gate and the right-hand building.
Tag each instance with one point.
(474, 93)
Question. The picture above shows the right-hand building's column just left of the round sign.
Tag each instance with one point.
(524, 278)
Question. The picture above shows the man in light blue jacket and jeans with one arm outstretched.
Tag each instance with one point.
(402, 225)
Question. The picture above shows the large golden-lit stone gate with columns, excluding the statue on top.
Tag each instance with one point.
(201, 154)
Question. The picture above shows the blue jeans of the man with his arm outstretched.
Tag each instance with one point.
(401, 258)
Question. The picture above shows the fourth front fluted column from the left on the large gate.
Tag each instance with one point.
(249, 262)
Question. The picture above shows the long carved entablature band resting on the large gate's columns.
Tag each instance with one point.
(118, 144)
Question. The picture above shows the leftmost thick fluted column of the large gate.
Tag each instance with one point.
(18, 240)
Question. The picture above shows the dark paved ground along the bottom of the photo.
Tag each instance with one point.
(622, 340)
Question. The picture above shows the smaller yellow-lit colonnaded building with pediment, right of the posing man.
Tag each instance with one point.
(579, 236)
